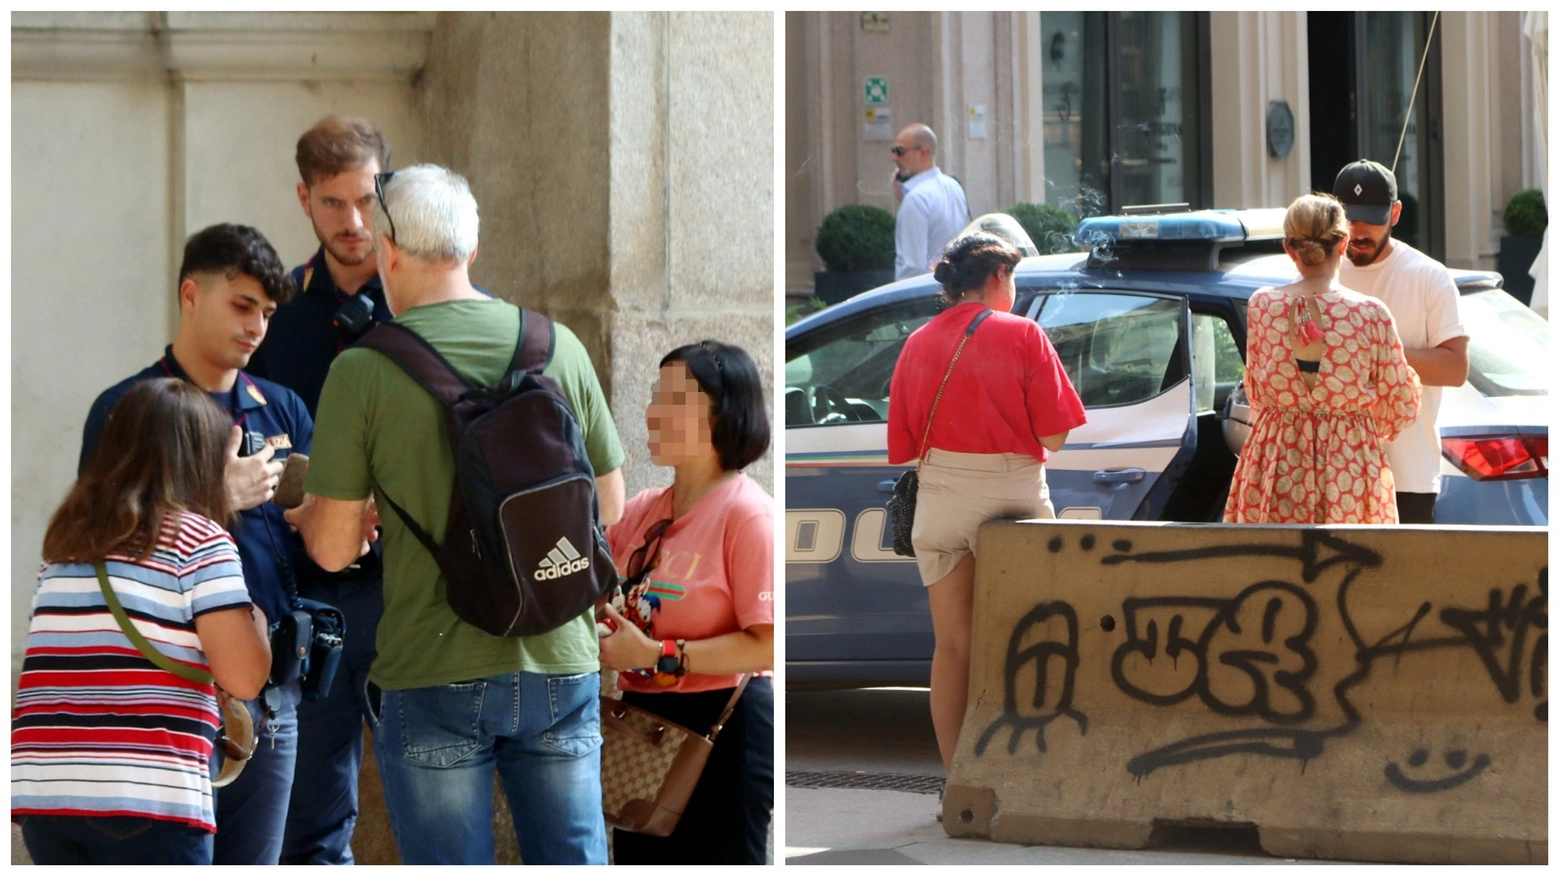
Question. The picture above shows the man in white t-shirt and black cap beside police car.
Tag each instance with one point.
(1423, 302)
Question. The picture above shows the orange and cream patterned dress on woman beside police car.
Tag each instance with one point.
(1316, 452)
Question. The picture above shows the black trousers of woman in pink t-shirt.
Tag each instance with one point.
(728, 818)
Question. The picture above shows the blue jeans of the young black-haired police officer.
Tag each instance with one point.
(252, 814)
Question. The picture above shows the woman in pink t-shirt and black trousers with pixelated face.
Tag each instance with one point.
(697, 611)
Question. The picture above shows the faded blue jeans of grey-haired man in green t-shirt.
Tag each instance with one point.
(439, 747)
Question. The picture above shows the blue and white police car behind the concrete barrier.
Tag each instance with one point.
(1150, 325)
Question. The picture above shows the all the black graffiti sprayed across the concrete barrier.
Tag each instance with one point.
(1252, 656)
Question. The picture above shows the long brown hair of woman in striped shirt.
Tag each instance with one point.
(163, 450)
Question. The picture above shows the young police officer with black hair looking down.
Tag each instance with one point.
(230, 285)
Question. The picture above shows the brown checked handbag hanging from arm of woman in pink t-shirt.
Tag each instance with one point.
(650, 767)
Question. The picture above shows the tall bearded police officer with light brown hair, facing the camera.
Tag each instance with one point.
(339, 299)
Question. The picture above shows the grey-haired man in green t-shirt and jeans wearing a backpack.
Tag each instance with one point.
(455, 703)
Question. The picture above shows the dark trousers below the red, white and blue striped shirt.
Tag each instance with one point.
(113, 840)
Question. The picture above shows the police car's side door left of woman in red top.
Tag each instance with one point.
(854, 608)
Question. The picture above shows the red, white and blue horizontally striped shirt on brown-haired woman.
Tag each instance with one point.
(99, 730)
